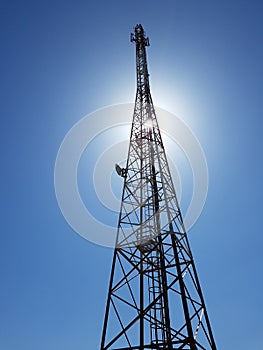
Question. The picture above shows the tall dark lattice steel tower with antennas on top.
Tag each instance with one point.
(155, 299)
